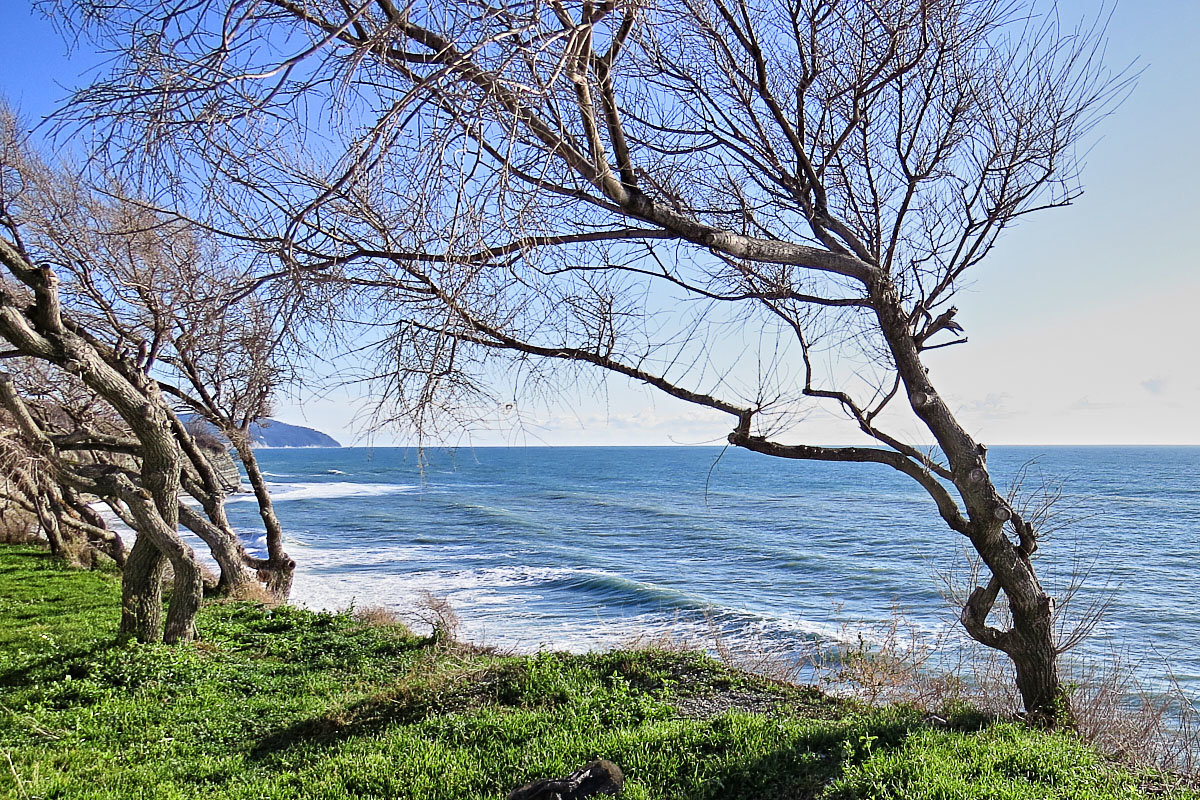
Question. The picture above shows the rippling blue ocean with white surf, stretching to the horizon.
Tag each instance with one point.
(591, 548)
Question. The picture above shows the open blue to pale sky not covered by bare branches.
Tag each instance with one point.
(1084, 327)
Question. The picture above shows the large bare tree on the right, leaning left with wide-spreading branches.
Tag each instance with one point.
(632, 185)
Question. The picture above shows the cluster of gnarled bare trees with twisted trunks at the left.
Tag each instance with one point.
(116, 302)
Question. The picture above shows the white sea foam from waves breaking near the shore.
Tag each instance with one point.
(495, 601)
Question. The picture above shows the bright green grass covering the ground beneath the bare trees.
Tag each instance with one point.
(289, 703)
